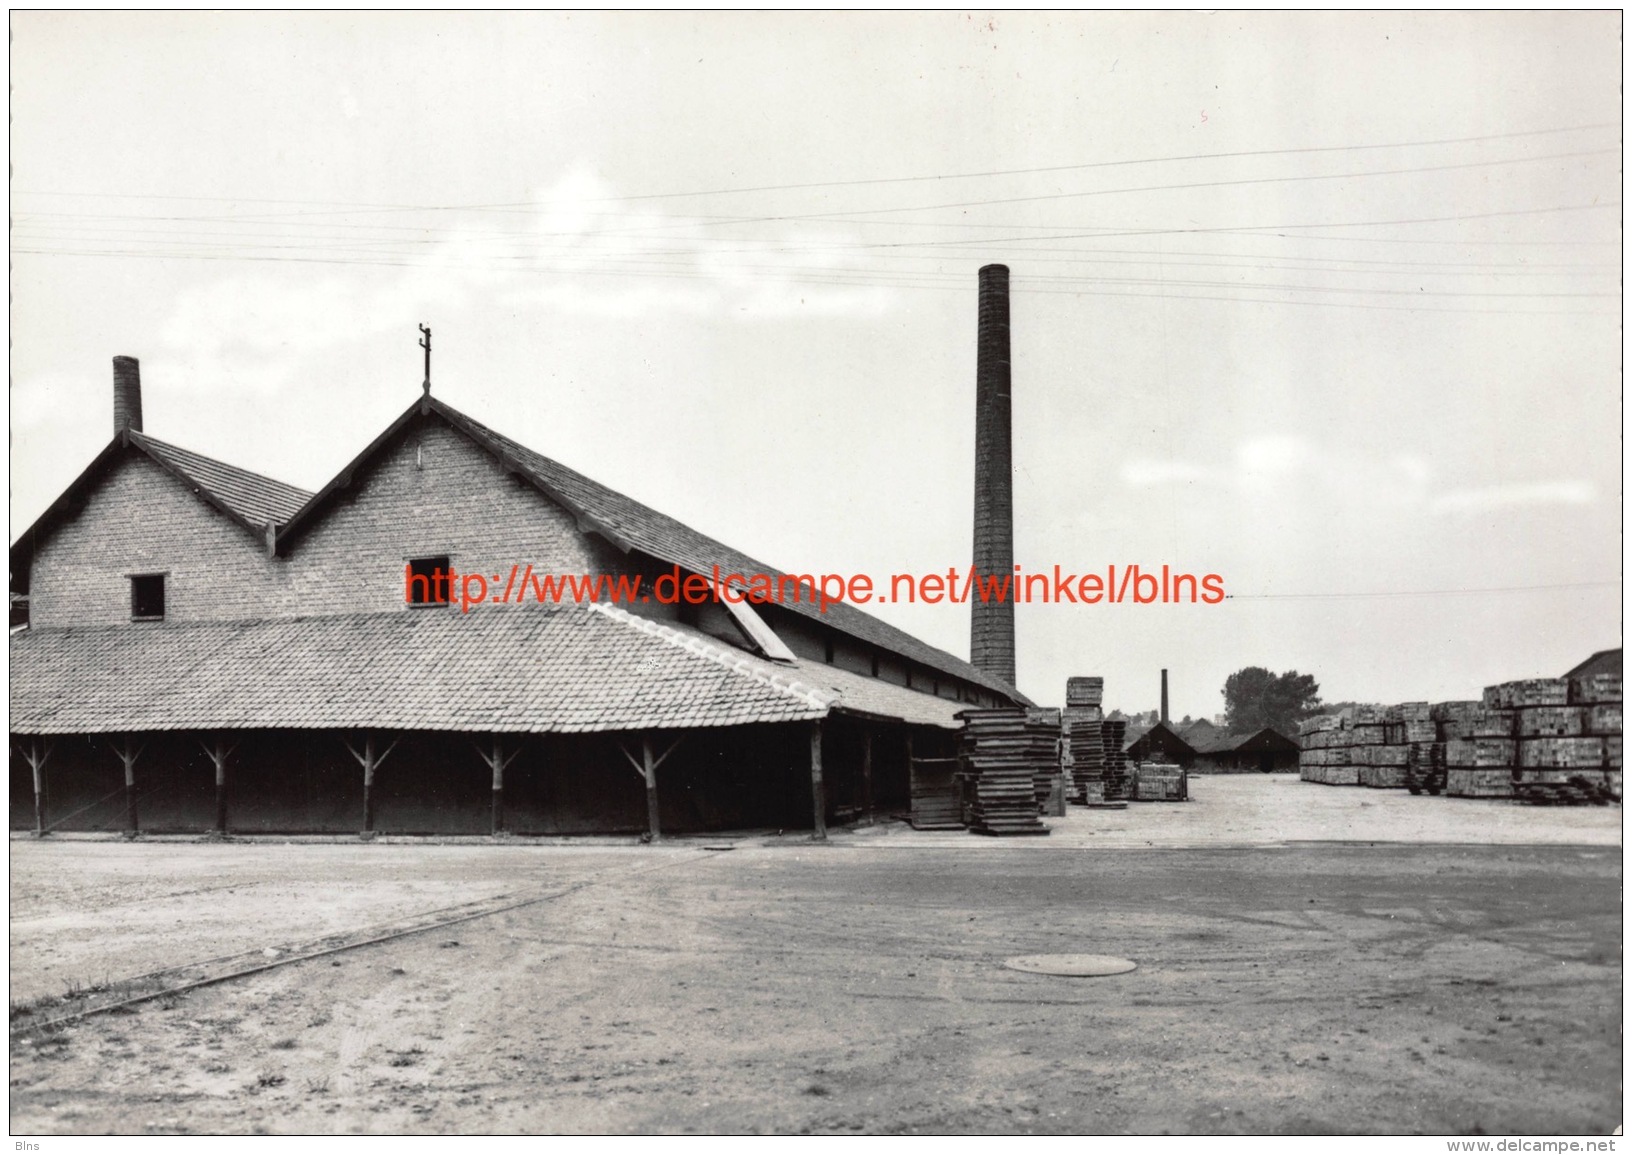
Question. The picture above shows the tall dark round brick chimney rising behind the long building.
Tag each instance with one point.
(993, 624)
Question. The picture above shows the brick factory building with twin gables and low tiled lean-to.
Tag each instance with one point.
(205, 648)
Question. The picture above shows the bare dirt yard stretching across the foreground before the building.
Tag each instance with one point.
(843, 988)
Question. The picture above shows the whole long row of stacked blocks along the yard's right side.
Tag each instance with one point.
(1545, 741)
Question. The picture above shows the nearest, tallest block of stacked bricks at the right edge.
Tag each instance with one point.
(1568, 738)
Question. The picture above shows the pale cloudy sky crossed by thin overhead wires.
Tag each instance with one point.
(1324, 304)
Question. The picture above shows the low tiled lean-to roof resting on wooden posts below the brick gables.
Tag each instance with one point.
(518, 670)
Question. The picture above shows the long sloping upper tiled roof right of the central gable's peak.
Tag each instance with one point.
(670, 541)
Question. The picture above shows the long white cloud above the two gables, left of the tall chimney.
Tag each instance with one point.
(574, 252)
